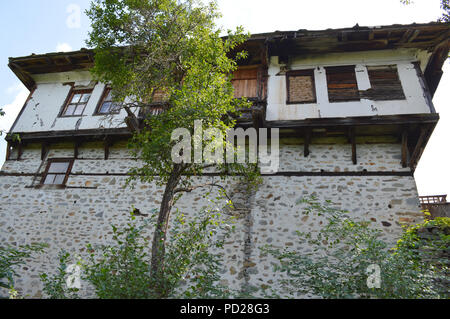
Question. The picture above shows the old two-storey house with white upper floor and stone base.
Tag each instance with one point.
(354, 111)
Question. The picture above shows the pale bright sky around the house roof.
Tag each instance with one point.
(42, 26)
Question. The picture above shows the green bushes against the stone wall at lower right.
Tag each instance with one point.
(336, 264)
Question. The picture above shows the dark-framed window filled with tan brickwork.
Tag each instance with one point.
(300, 86)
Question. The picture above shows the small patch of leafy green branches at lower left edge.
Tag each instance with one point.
(11, 258)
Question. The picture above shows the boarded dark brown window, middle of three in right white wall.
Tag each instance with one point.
(342, 85)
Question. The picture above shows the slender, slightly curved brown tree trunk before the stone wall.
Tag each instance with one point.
(160, 234)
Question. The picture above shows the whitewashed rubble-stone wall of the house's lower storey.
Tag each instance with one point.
(376, 189)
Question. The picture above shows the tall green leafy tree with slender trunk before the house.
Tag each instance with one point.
(145, 47)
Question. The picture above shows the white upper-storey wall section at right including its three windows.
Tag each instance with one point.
(347, 85)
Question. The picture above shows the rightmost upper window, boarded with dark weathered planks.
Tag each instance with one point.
(385, 83)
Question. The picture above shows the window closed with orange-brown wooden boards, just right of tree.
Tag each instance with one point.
(245, 82)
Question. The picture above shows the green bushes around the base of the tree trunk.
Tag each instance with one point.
(122, 269)
